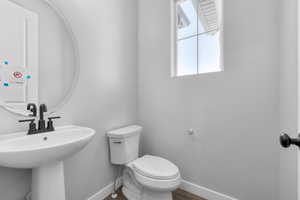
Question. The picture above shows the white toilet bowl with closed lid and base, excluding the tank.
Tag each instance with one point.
(150, 178)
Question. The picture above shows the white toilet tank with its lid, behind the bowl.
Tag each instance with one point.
(124, 144)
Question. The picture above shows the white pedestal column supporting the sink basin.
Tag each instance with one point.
(48, 182)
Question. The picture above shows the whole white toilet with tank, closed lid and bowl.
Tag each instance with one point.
(145, 178)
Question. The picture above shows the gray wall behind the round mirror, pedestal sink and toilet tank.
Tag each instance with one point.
(104, 99)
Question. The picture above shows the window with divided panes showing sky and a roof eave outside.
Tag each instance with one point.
(198, 37)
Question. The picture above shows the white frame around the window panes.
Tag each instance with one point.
(174, 50)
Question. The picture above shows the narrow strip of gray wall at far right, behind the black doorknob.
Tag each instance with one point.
(288, 97)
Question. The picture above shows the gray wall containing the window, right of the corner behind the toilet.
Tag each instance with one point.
(235, 112)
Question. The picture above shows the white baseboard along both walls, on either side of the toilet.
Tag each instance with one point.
(185, 185)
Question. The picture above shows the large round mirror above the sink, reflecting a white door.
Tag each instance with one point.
(39, 59)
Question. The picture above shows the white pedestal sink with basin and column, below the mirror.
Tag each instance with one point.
(44, 153)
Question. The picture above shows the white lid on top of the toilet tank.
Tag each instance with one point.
(125, 132)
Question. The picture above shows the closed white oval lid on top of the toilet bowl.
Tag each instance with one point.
(155, 167)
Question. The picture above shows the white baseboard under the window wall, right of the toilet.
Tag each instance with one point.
(203, 192)
